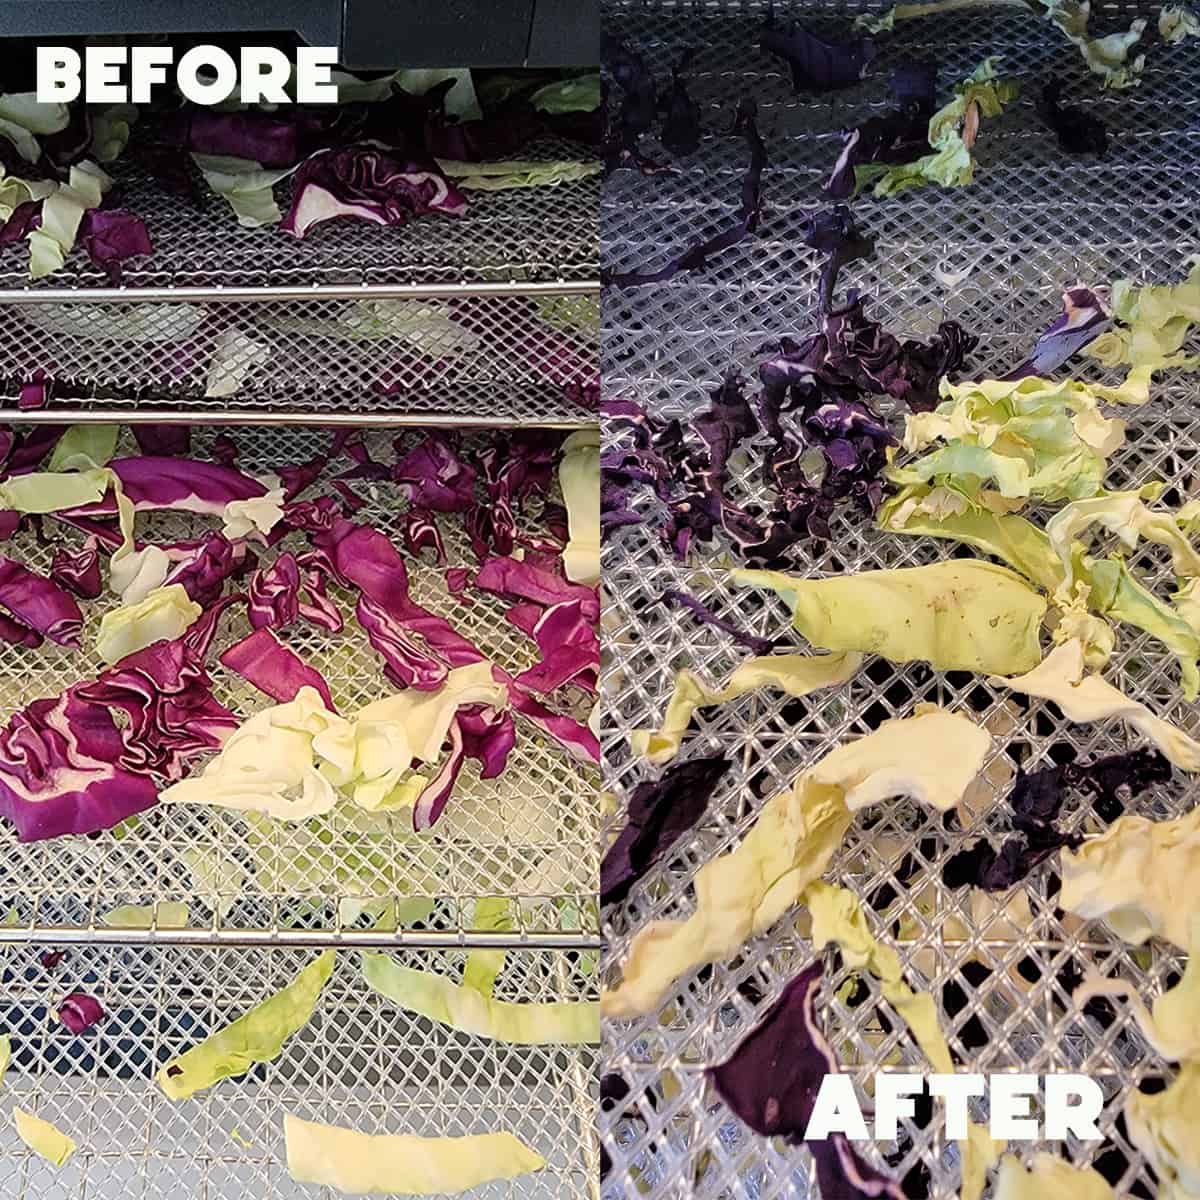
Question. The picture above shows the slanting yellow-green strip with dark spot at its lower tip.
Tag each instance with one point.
(257, 1036)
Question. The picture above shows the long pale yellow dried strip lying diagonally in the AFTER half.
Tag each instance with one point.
(932, 758)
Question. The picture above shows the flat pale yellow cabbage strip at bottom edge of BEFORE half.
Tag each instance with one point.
(362, 1165)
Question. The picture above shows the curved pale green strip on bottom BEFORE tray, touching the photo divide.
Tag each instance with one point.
(469, 1010)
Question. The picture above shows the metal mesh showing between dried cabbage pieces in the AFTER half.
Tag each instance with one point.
(1001, 968)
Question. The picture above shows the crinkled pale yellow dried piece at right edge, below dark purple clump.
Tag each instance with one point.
(1137, 877)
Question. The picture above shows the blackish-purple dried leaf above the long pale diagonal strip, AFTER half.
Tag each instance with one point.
(661, 813)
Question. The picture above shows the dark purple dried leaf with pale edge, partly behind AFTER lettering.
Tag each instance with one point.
(772, 1081)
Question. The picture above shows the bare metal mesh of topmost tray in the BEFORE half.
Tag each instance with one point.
(521, 237)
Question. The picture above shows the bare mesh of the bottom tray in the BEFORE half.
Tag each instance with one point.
(359, 1063)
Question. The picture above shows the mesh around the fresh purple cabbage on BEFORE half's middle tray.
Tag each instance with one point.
(530, 835)
